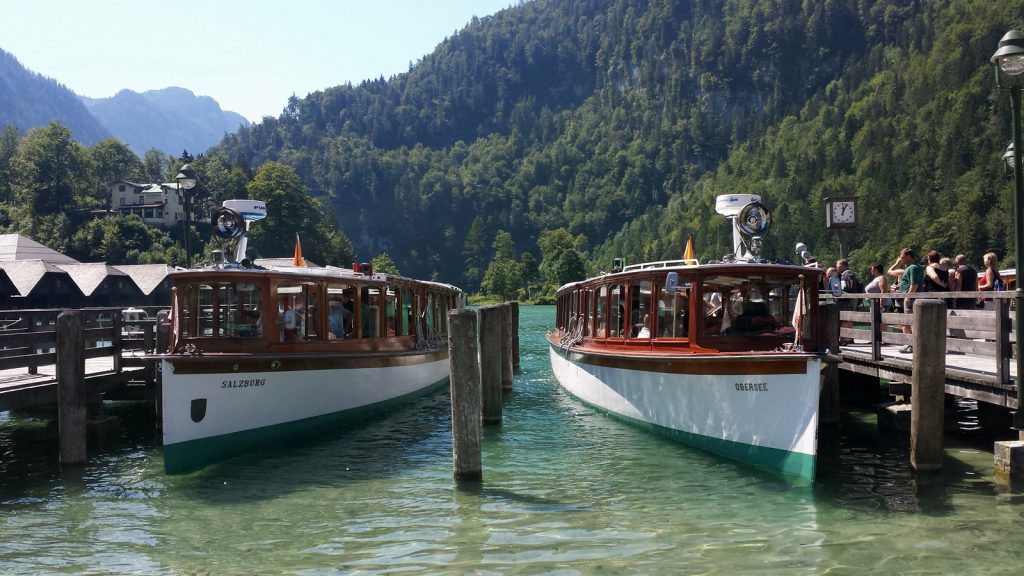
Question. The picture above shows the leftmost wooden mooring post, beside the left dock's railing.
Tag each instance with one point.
(71, 388)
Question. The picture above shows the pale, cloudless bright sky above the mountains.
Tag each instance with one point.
(250, 56)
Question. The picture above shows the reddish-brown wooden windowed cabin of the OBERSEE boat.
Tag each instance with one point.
(739, 307)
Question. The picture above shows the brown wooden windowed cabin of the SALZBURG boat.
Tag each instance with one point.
(309, 310)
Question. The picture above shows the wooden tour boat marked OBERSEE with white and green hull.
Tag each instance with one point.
(722, 356)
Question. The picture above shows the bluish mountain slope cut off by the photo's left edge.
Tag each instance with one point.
(29, 100)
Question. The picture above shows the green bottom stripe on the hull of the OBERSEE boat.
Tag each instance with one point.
(776, 460)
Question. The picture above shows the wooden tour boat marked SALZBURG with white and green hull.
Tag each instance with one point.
(259, 354)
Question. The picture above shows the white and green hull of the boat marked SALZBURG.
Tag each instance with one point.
(216, 408)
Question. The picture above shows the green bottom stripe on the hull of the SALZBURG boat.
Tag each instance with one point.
(193, 455)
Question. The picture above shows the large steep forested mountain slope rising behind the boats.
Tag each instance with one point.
(620, 120)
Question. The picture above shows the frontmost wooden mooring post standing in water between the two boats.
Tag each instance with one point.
(465, 384)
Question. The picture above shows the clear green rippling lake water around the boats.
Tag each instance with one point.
(566, 491)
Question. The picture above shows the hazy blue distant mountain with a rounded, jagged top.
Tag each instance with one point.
(172, 120)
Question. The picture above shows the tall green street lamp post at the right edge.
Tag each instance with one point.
(1009, 61)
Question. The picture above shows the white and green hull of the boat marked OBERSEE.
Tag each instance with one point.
(759, 409)
